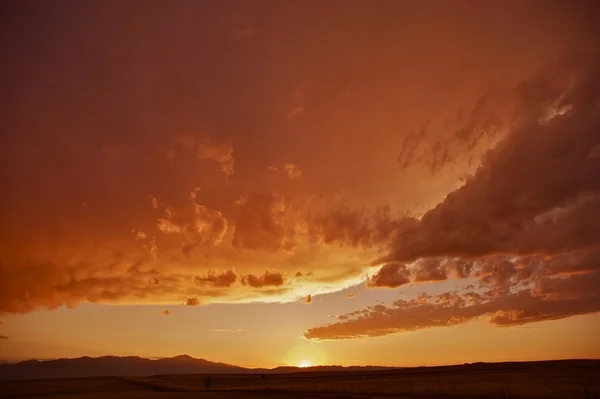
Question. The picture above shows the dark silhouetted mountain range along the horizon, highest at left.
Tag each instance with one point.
(133, 366)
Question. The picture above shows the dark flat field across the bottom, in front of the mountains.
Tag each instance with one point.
(566, 379)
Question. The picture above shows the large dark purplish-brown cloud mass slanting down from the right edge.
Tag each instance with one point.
(523, 225)
